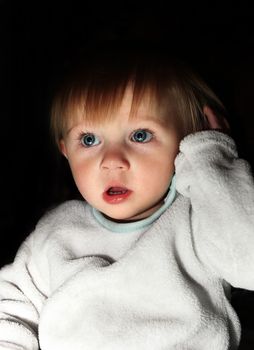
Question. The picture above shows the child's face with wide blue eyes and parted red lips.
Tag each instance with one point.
(124, 166)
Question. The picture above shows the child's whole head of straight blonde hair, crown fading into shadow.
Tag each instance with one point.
(95, 88)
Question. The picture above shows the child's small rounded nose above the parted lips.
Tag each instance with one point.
(115, 159)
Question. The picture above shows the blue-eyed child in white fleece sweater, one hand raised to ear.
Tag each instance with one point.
(167, 225)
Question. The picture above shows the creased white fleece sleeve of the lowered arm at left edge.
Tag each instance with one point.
(20, 302)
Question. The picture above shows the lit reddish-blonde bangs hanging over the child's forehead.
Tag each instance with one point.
(100, 104)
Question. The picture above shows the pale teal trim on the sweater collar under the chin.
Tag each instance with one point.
(136, 225)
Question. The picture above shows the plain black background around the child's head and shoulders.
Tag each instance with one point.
(216, 38)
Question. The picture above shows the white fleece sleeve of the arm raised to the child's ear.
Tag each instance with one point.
(220, 187)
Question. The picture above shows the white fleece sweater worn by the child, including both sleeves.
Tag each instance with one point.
(76, 285)
